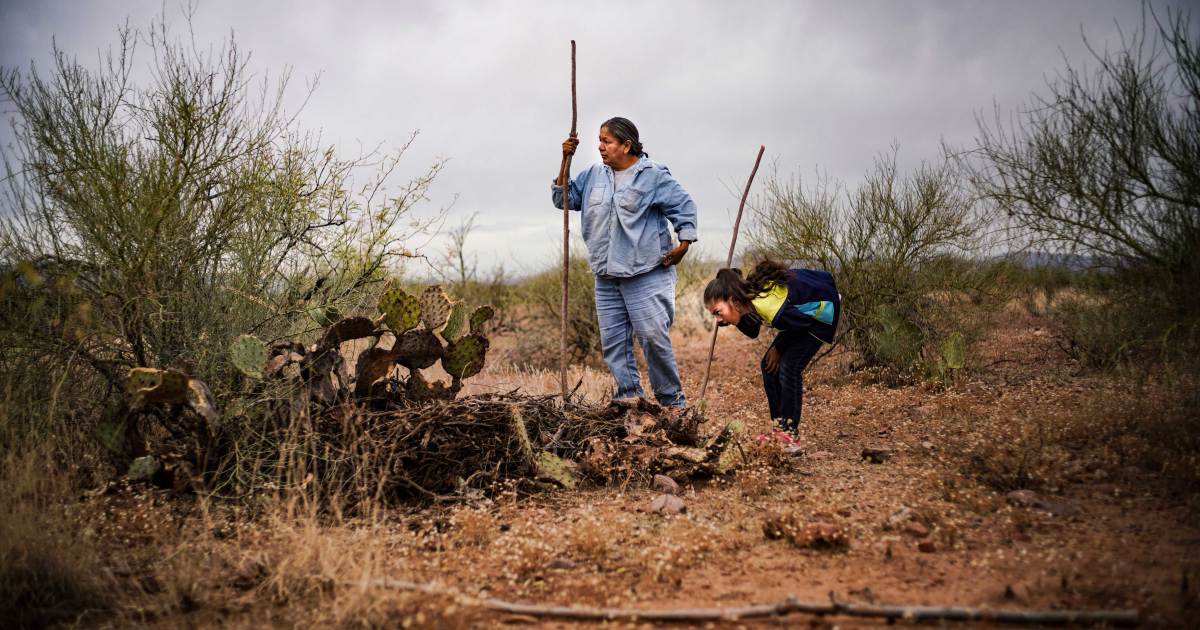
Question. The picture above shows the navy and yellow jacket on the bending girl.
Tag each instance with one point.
(808, 305)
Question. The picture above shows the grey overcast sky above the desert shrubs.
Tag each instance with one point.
(823, 85)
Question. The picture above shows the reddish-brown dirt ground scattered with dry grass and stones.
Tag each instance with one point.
(934, 524)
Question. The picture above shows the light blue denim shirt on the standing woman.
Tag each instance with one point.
(627, 233)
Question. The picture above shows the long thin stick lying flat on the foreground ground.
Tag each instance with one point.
(791, 605)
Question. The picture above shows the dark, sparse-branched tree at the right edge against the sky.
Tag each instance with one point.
(1107, 164)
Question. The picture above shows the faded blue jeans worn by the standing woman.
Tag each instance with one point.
(644, 307)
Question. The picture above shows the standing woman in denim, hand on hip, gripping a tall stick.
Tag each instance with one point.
(629, 206)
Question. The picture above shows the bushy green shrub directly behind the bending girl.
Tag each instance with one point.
(903, 249)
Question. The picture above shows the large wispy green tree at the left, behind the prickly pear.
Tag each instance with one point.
(149, 223)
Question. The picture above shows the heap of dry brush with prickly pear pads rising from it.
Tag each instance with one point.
(379, 431)
